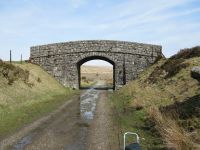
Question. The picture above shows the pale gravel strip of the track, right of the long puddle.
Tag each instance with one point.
(102, 132)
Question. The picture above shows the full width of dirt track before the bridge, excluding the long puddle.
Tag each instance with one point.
(68, 131)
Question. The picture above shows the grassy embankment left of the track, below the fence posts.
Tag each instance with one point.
(26, 93)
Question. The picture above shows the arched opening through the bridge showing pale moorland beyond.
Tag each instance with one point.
(96, 72)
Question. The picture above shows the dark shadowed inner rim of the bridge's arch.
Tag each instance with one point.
(82, 61)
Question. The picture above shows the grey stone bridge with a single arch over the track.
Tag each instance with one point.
(63, 60)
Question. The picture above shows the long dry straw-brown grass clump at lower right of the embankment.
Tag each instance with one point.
(174, 136)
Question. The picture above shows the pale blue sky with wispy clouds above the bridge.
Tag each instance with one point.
(174, 24)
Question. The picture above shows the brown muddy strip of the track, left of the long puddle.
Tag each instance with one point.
(57, 133)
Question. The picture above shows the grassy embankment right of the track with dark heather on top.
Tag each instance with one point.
(163, 104)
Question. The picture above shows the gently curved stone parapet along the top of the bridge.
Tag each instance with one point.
(103, 46)
